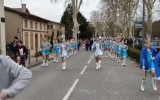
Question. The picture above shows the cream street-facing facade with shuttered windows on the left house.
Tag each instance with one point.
(33, 37)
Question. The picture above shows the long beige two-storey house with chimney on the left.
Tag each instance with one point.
(29, 28)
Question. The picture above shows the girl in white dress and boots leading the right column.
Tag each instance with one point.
(97, 48)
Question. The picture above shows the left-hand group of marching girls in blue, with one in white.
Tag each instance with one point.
(60, 50)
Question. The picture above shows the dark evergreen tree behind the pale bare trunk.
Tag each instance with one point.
(84, 26)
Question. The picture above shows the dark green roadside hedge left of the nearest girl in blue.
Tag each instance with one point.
(134, 53)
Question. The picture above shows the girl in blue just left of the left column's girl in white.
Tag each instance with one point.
(55, 50)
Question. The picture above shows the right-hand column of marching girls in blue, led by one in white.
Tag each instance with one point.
(114, 48)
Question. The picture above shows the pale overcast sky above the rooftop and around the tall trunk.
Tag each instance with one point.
(52, 11)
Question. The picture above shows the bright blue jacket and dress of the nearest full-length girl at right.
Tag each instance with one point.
(146, 59)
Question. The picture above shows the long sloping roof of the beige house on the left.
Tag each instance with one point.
(29, 15)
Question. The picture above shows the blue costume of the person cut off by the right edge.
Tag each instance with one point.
(157, 66)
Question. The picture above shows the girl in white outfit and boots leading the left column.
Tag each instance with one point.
(63, 52)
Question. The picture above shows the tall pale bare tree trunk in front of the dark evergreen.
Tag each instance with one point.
(76, 4)
